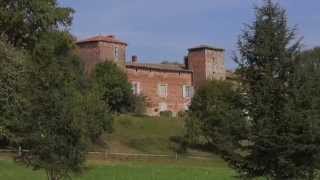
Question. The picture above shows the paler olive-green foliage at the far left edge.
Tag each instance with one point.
(11, 71)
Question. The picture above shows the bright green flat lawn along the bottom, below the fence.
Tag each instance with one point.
(124, 171)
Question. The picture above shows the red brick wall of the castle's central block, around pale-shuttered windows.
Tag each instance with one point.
(149, 81)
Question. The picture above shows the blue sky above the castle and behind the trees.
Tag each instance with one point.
(159, 30)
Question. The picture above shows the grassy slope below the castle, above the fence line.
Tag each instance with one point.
(136, 134)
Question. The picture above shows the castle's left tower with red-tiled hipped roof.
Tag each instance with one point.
(99, 49)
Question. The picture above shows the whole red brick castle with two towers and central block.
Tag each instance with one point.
(167, 87)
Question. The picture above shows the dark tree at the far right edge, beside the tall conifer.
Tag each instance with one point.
(304, 110)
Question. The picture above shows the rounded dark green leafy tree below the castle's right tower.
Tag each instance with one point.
(216, 117)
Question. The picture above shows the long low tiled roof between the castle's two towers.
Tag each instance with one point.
(161, 67)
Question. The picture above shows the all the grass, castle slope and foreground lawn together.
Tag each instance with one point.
(137, 135)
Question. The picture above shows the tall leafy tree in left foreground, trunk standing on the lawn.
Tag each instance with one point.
(48, 126)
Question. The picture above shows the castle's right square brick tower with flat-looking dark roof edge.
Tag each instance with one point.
(207, 63)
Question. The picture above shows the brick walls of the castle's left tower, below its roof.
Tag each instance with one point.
(92, 53)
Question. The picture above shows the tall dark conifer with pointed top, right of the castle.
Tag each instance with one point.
(283, 142)
